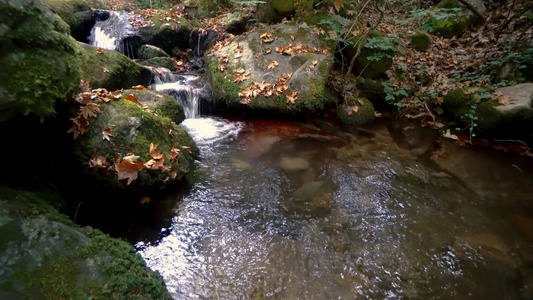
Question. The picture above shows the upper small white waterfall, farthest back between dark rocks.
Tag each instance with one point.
(110, 34)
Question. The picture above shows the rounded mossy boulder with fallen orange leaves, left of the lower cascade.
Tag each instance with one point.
(130, 148)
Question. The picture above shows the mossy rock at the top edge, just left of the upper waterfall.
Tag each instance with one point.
(78, 14)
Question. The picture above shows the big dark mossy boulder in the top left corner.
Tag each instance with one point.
(40, 62)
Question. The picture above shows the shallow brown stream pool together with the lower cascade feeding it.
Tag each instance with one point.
(288, 210)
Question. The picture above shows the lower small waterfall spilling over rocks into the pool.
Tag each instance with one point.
(182, 88)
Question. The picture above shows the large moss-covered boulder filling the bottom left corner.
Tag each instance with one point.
(46, 256)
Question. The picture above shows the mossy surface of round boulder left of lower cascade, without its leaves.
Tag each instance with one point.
(134, 131)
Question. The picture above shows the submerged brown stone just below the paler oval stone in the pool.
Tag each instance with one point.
(311, 199)
